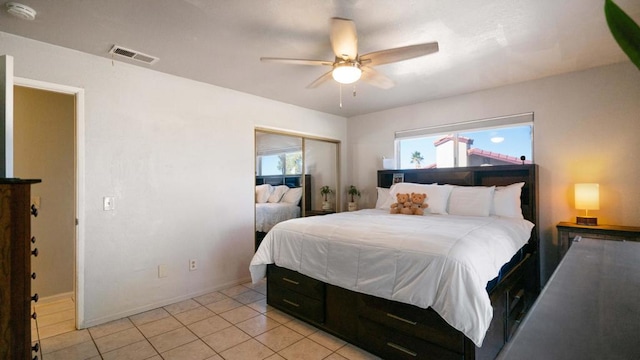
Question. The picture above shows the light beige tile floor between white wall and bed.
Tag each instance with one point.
(235, 323)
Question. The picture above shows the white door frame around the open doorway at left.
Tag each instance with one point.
(79, 160)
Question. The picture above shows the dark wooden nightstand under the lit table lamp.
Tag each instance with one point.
(568, 231)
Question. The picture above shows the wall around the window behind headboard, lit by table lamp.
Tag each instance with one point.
(586, 129)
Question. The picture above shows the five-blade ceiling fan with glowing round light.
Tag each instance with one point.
(348, 66)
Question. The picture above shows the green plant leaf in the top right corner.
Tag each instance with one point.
(624, 30)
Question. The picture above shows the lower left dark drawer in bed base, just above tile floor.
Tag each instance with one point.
(296, 303)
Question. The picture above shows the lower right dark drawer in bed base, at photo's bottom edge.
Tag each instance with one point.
(391, 344)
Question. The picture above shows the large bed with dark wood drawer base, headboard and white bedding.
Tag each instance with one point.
(377, 281)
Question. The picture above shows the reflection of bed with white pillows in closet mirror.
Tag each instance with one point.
(279, 198)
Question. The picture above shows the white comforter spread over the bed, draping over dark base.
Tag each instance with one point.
(438, 261)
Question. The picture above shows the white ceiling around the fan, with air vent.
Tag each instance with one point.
(483, 43)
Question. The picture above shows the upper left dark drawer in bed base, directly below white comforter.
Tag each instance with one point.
(294, 281)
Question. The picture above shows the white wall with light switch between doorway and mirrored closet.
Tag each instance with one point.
(178, 156)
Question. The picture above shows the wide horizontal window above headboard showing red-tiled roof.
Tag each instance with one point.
(497, 141)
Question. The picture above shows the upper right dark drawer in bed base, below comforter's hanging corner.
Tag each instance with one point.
(410, 320)
